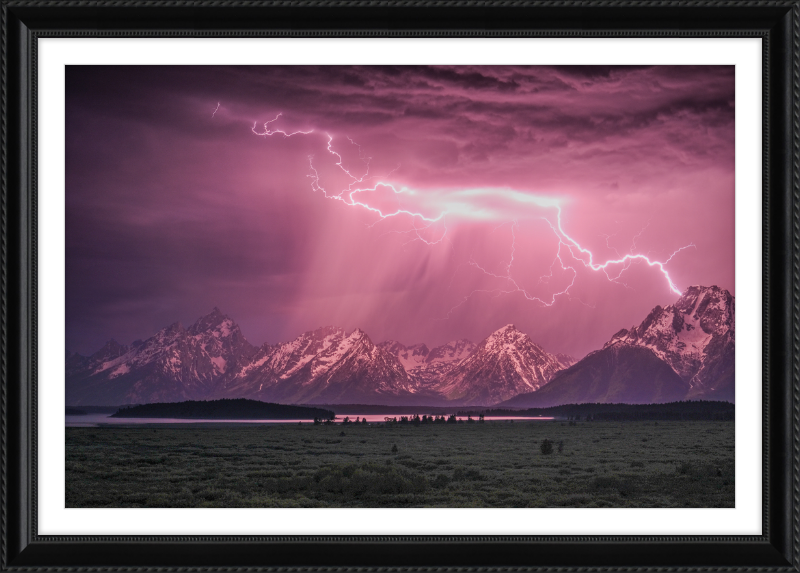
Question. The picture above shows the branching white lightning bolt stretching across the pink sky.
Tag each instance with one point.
(465, 203)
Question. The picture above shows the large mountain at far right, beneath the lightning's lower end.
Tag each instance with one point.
(683, 351)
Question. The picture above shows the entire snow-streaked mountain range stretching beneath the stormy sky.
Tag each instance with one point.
(685, 350)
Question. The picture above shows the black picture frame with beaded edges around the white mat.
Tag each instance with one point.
(777, 23)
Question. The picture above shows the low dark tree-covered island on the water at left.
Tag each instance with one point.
(236, 409)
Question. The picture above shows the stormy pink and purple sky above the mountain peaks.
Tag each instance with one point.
(174, 208)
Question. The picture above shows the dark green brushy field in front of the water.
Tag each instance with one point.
(601, 464)
